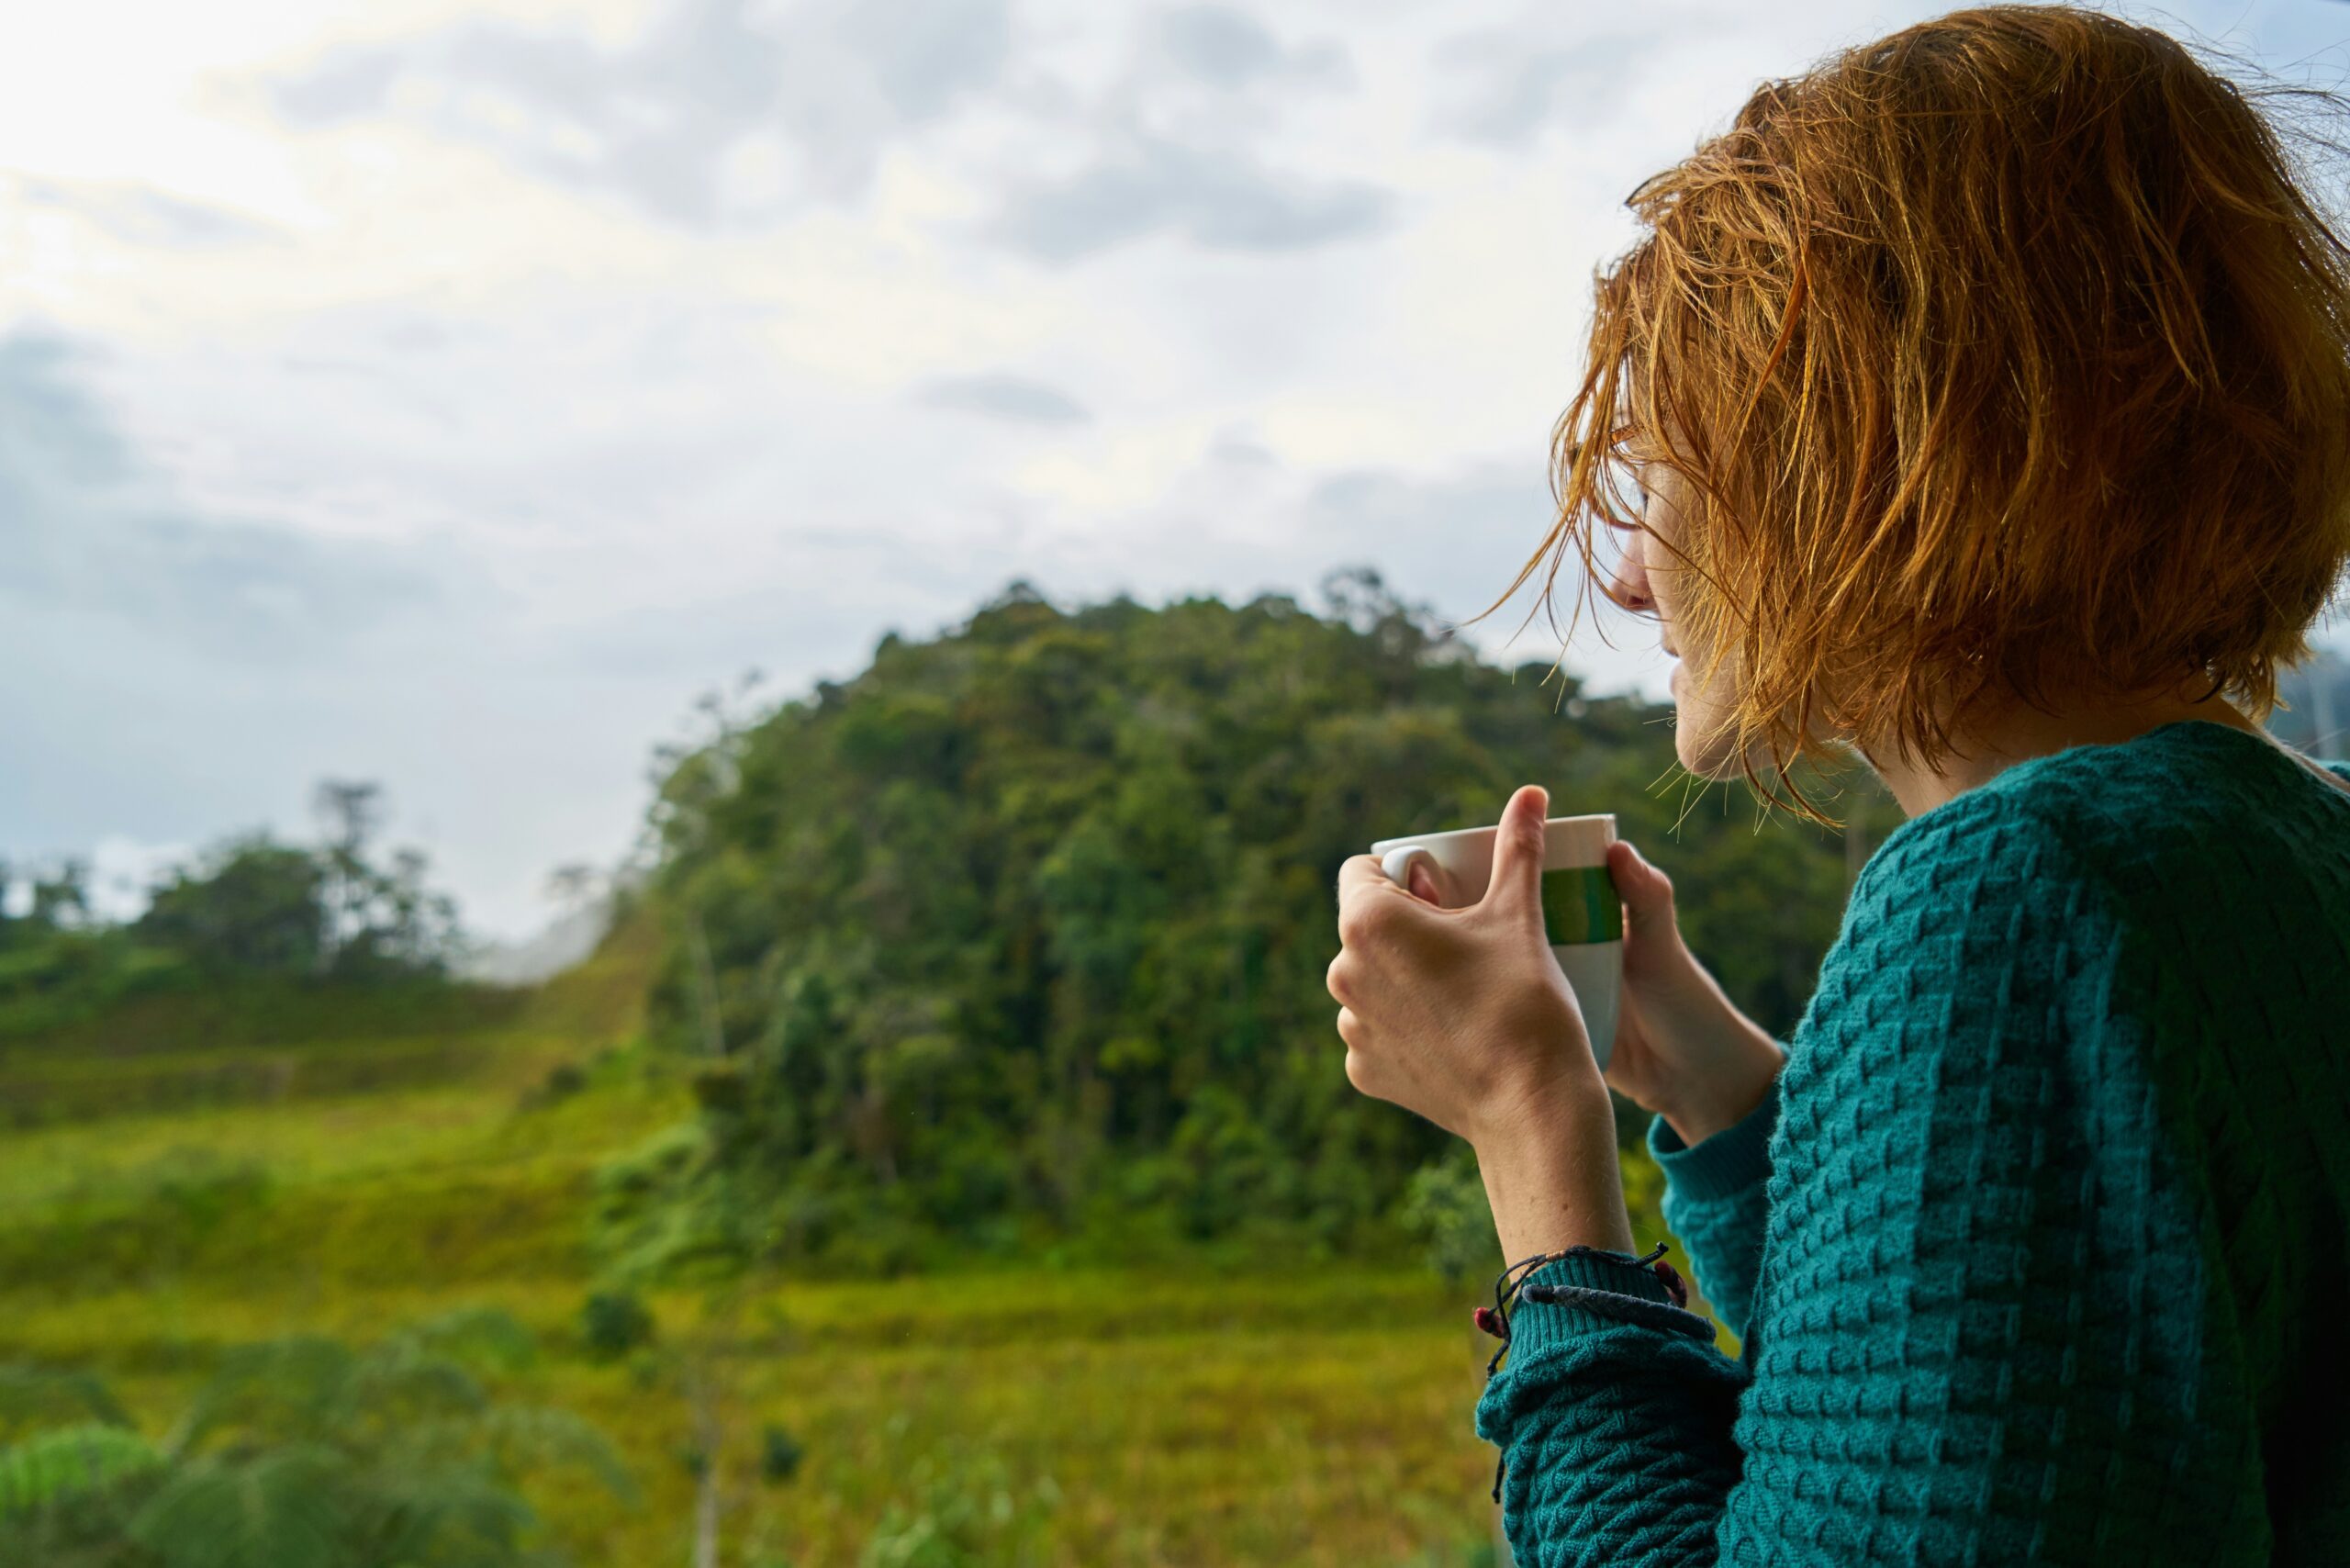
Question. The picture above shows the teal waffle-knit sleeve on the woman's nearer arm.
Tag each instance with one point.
(1945, 1362)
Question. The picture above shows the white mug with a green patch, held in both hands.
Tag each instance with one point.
(1580, 909)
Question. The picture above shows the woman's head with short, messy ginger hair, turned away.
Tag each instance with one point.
(1994, 361)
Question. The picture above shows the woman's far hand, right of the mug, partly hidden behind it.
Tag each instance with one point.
(1681, 1047)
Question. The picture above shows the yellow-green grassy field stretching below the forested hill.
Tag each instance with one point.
(159, 1207)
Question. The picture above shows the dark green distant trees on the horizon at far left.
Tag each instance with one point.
(248, 909)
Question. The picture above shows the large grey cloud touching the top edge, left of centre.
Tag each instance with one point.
(692, 119)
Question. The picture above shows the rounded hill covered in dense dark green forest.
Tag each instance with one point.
(1030, 923)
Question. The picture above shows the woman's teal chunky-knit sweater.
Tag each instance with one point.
(2039, 1247)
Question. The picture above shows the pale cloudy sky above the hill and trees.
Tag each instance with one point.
(452, 394)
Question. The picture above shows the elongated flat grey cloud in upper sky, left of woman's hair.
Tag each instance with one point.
(1214, 199)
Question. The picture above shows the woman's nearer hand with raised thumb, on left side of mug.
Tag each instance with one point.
(1463, 1017)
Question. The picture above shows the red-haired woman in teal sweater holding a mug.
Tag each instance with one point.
(1978, 406)
